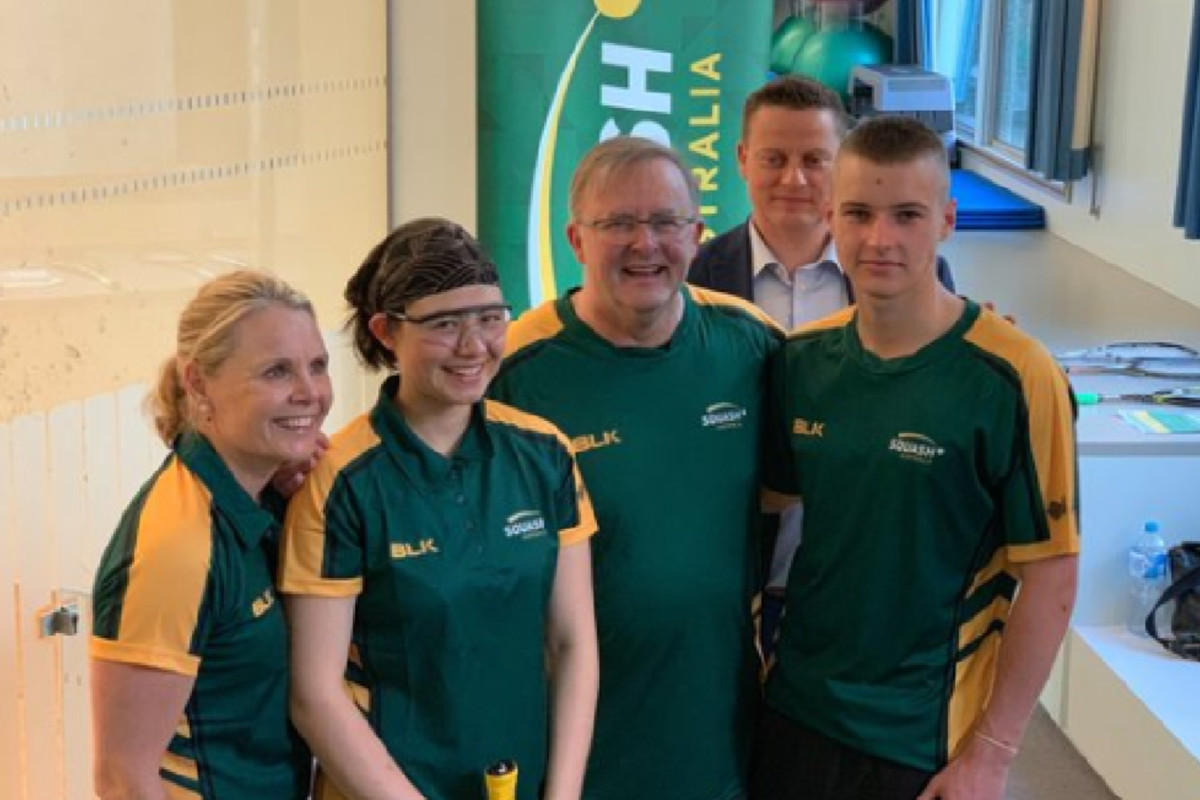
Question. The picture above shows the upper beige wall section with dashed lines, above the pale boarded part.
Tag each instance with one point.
(147, 146)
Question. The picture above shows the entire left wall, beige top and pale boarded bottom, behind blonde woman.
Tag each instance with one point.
(147, 146)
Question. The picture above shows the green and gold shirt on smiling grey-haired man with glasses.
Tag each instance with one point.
(669, 443)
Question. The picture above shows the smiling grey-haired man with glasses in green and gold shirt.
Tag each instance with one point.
(661, 387)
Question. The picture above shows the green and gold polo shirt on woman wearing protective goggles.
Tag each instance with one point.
(452, 562)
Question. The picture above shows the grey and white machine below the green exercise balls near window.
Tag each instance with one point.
(909, 91)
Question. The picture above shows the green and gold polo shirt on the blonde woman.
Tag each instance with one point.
(185, 587)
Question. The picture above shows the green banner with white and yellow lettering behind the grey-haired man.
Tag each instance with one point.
(556, 77)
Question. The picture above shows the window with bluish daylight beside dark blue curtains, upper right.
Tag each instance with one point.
(986, 49)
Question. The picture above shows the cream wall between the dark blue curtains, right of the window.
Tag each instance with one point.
(1143, 56)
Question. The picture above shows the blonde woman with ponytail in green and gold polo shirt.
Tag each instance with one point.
(189, 651)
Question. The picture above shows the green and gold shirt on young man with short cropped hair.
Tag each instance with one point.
(926, 480)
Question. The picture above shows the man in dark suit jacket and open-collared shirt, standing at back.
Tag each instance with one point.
(783, 257)
